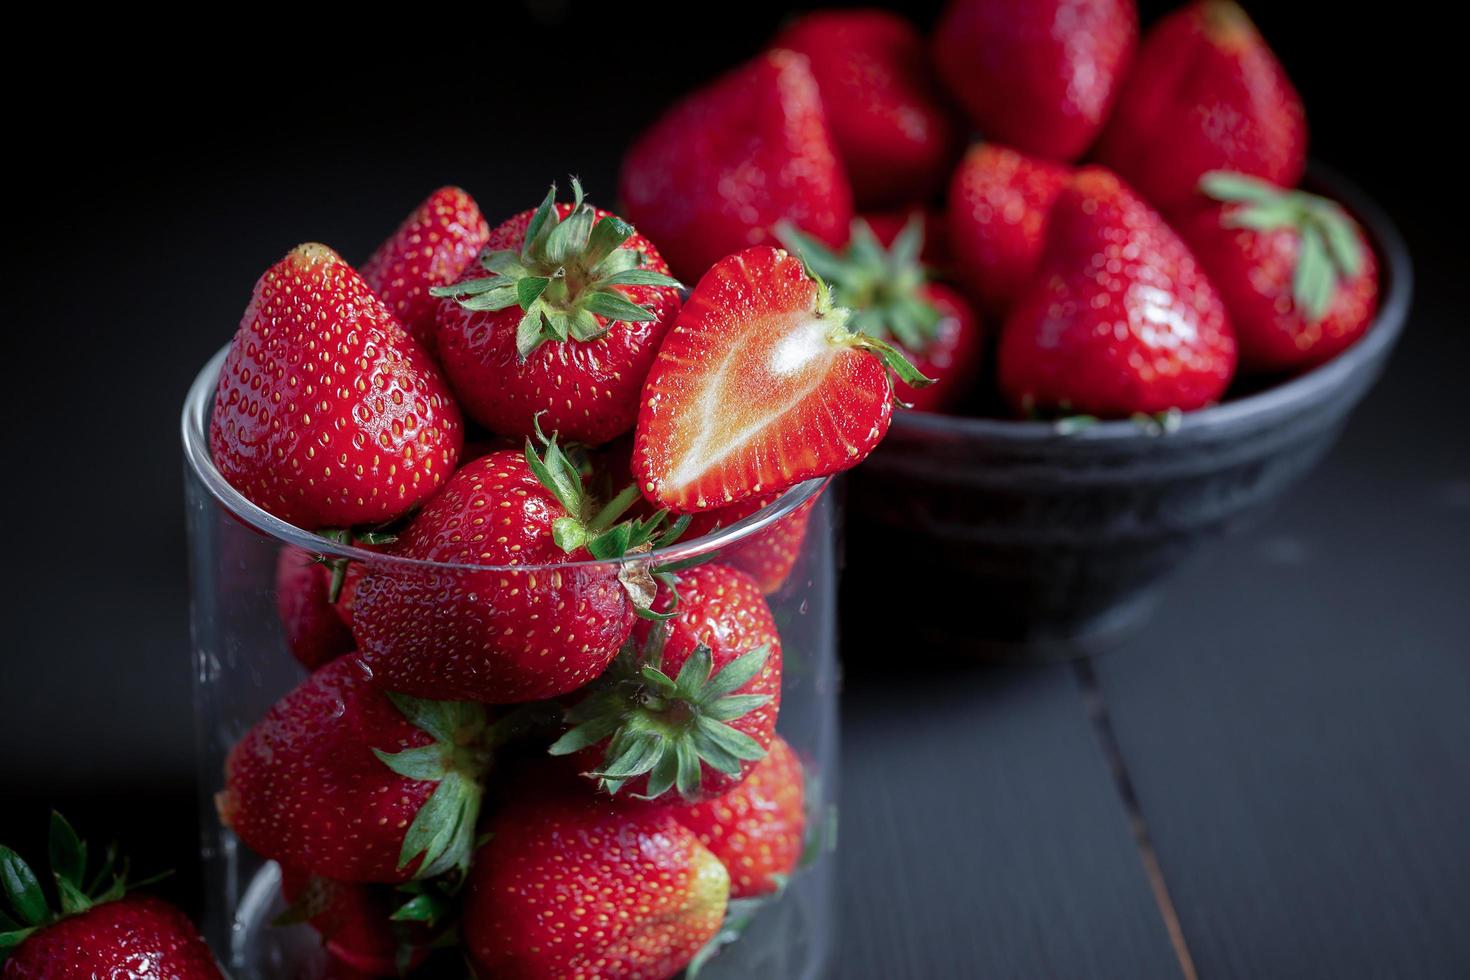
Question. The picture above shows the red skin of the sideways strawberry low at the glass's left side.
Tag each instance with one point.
(305, 788)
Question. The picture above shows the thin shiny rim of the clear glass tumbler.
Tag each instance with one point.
(195, 424)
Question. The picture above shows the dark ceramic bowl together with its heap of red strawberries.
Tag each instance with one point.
(1096, 239)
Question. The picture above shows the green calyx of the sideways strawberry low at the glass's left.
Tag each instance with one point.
(459, 757)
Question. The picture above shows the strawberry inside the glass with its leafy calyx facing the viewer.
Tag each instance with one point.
(693, 700)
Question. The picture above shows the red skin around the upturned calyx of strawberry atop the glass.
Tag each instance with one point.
(586, 390)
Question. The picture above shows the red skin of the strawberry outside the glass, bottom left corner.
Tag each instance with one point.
(135, 937)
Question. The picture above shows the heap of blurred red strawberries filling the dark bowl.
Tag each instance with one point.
(1124, 236)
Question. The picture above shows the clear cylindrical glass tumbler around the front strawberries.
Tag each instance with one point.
(243, 666)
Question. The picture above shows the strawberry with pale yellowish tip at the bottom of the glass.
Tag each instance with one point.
(577, 888)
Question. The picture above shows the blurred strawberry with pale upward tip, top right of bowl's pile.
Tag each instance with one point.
(1206, 93)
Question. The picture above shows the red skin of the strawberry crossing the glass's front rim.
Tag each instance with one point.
(490, 635)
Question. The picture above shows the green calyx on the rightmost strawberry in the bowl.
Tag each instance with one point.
(1331, 251)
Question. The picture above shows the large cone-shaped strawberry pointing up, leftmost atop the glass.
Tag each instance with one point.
(329, 415)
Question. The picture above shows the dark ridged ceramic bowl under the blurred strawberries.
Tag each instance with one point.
(1056, 543)
